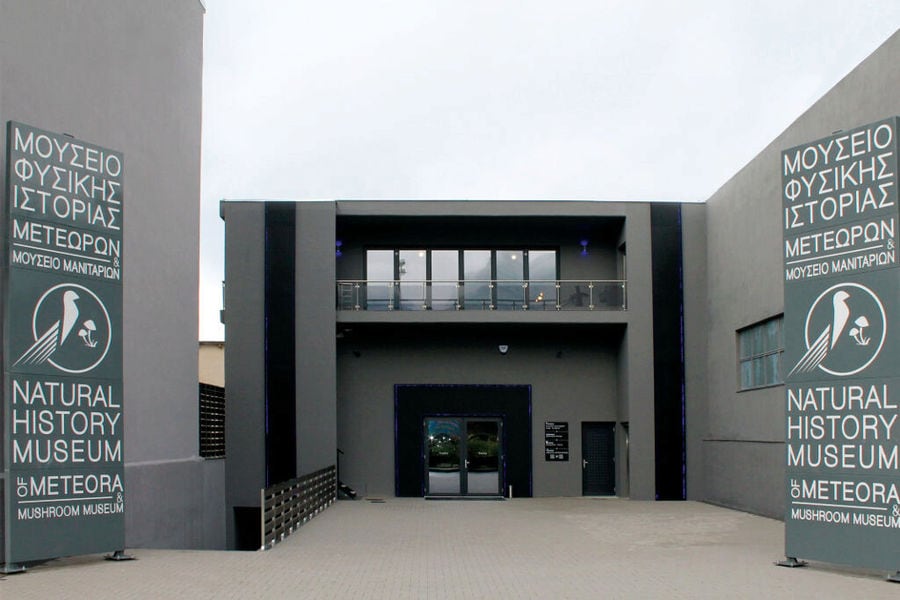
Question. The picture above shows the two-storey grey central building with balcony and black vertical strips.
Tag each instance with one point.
(355, 323)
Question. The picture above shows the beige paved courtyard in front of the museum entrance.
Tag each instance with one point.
(522, 548)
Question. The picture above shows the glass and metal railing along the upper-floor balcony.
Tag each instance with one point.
(357, 294)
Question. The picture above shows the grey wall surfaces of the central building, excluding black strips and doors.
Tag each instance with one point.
(604, 373)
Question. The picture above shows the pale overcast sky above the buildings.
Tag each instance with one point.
(503, 99)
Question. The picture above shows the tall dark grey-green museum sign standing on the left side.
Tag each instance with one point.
(63, 419)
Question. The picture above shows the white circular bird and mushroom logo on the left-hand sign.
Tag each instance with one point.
(71, 329)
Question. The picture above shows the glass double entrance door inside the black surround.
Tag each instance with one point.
(463, 456)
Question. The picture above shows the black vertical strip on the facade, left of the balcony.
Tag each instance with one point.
(280, 343)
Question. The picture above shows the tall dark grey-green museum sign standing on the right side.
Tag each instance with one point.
(842, 348)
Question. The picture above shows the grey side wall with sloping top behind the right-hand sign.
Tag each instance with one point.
(743, 445)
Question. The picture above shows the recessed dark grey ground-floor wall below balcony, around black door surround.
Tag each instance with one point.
(571, 371)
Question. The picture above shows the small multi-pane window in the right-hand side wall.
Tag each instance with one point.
(761, 352)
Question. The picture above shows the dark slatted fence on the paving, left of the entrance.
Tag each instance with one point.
(288, 505)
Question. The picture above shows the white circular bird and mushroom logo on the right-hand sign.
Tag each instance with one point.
(829, 345)
